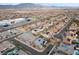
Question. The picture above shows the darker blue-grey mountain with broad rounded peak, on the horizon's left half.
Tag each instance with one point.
(22, 5)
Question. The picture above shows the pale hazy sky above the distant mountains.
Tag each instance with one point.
(48, 4)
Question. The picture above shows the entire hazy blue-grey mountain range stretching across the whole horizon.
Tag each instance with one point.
(32, 5)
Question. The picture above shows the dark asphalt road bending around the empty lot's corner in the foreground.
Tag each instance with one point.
(29, 49)
